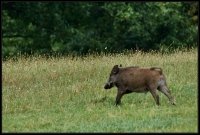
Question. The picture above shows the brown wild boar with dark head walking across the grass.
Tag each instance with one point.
(136, 79)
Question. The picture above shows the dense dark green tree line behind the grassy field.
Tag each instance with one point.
(86, 27)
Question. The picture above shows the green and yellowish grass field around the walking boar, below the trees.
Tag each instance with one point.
(67, 95)
